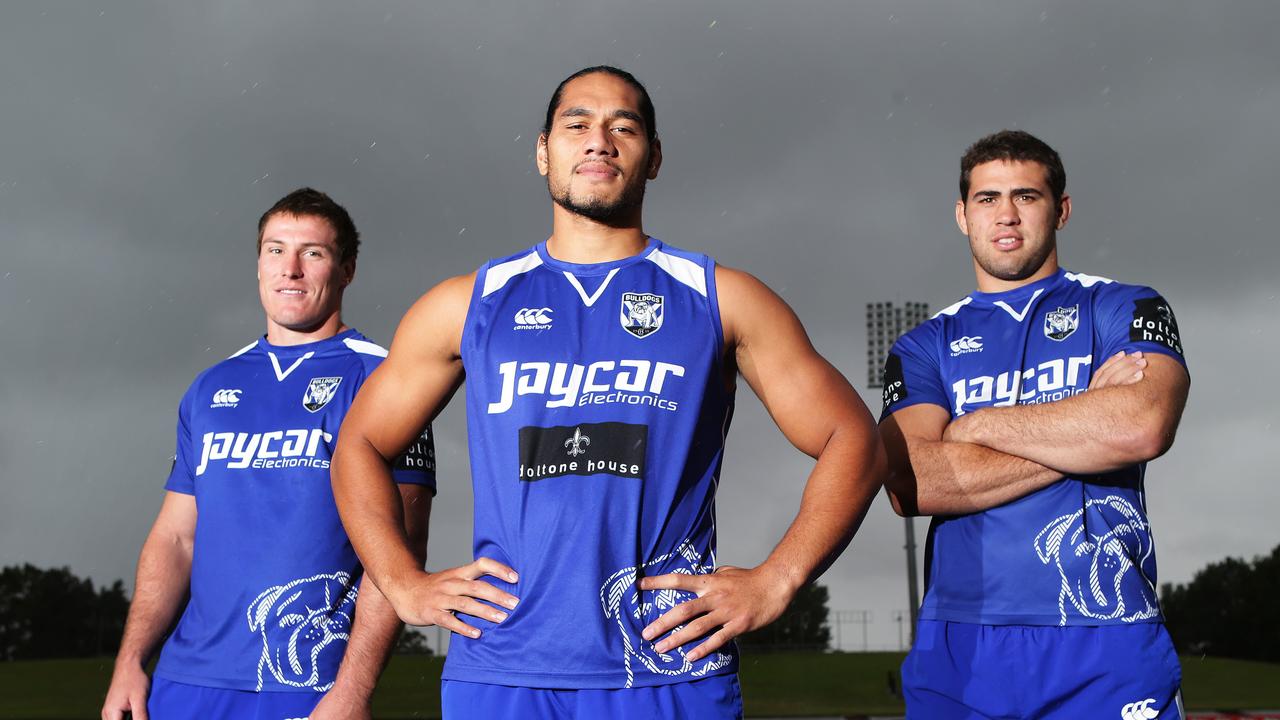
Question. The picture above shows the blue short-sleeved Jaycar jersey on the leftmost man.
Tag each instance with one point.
(273, 575)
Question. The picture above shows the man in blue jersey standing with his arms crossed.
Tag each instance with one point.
(1022, 418)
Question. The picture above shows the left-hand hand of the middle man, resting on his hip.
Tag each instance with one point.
(432, 599)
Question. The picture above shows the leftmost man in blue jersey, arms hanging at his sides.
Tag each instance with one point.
(249, 536)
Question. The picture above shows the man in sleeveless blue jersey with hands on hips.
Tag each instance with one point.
(601, 368)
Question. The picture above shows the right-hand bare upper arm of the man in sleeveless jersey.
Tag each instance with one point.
(803, 393)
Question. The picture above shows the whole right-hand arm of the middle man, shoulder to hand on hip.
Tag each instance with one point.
(820, 413)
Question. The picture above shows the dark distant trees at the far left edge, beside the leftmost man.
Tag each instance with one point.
(56, 614)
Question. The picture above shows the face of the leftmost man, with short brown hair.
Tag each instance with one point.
(300, 279)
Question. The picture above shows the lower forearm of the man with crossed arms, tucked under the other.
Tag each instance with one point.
(954, 479)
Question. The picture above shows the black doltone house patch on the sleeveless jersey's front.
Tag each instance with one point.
(589, 449)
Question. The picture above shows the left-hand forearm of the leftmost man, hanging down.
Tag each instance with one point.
(161, 590)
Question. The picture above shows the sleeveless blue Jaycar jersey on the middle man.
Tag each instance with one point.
(597, 411)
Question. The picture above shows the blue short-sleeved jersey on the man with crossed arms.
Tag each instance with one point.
(1078, 552)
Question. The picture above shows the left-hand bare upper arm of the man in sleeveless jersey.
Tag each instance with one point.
(419, 376)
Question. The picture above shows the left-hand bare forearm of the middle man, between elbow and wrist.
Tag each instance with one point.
(372, 513)
